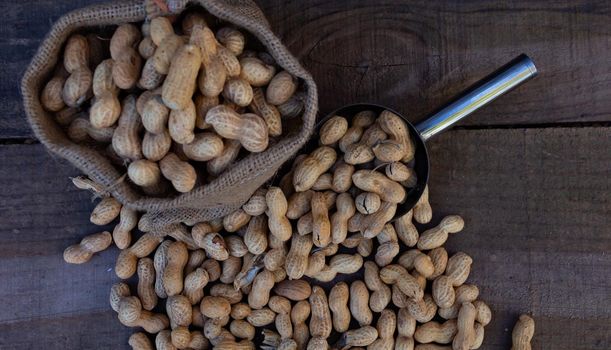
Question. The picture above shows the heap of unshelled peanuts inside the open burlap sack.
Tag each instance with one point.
(174, 106)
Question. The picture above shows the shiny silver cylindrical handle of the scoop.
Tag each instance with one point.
(514, 73)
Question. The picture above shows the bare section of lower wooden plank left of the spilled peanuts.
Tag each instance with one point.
(61, 306)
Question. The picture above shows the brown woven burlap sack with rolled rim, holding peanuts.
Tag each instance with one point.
(212, 200)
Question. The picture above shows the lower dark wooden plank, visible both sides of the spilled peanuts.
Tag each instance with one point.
(536, 204)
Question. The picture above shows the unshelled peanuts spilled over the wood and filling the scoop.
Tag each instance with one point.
(251, 277)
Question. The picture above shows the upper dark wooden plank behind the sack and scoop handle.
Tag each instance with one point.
(410, 55)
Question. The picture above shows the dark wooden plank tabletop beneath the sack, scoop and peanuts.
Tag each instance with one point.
(531, 174)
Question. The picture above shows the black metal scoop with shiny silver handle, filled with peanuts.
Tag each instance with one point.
(506, 78)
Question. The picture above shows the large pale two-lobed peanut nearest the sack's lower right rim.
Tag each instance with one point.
(248, 128)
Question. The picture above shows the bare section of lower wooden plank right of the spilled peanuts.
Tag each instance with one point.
(537, 206)
